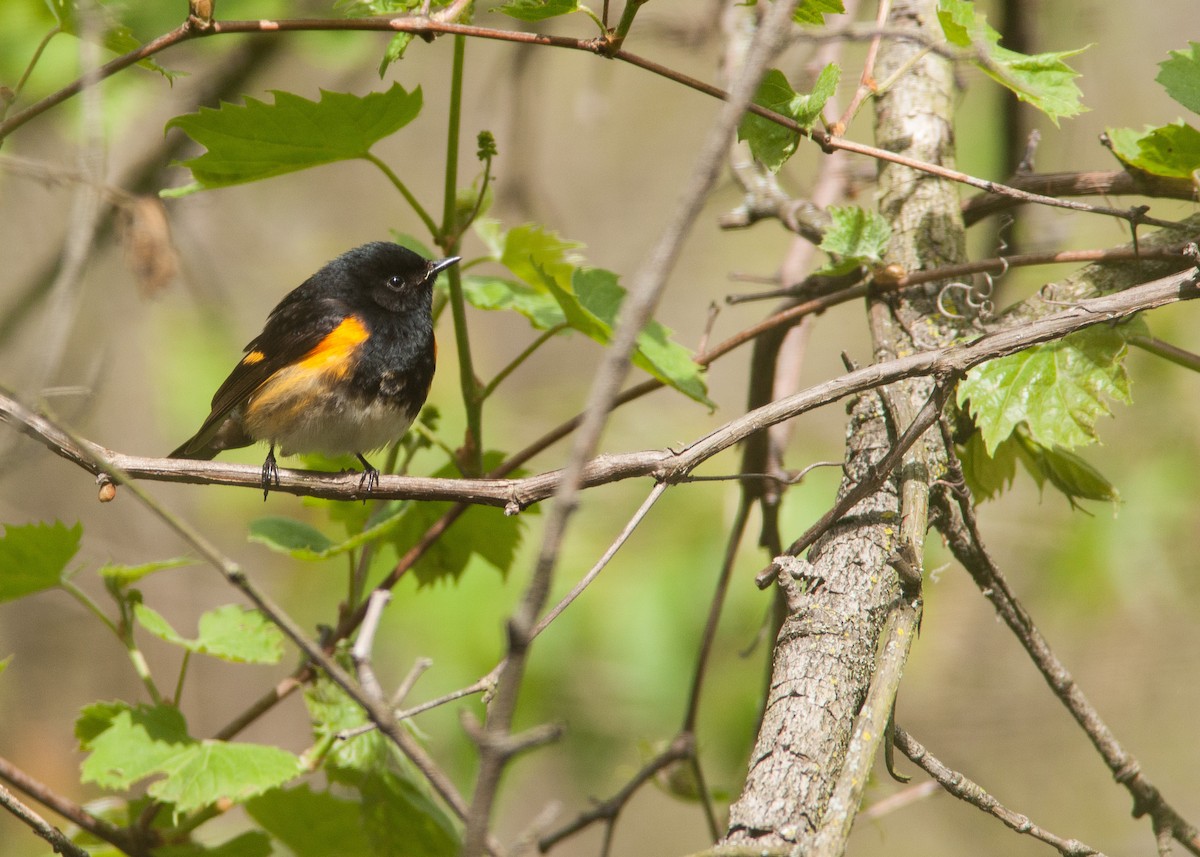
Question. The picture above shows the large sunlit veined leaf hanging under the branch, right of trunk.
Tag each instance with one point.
(1058, 389)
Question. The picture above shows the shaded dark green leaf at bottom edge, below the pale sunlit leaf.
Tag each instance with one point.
(311, 824)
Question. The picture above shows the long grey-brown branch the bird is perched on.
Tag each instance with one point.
(667, 465)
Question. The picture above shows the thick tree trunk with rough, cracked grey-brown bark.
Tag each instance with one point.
(839, 596)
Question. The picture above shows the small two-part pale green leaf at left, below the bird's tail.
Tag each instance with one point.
(230, 633)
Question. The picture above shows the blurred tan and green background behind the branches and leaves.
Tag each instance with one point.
(597, 152)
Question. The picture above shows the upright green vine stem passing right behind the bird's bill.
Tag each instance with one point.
(449, 241)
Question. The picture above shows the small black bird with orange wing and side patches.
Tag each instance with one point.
(344, 364)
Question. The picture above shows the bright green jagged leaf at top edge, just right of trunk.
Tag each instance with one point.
(1043, 81)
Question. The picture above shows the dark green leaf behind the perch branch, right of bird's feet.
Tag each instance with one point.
(482, 531)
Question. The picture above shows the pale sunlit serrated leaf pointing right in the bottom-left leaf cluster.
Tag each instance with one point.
(211, 771)
